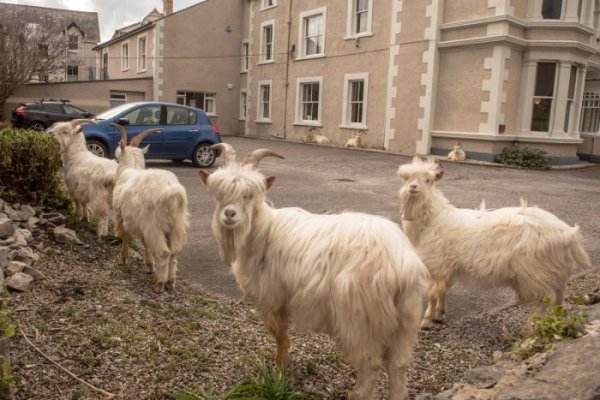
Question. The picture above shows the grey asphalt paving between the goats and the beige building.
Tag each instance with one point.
(327, 179)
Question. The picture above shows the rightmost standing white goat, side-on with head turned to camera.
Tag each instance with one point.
(525, 248)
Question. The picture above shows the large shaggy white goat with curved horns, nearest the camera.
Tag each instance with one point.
(353, 276)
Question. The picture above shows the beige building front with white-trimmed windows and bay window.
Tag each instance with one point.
(419, 76)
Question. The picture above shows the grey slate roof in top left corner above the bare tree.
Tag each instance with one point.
(86, 21)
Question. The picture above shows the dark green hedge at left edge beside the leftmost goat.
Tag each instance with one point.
(30, 168)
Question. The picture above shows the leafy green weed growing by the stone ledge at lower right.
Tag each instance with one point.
(558, 324)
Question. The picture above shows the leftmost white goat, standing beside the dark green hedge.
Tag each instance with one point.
(89, 178)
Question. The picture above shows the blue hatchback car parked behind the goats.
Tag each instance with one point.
(185, 132)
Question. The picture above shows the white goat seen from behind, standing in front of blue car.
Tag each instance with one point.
(152, 205)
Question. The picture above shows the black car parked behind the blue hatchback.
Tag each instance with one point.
(41, 114)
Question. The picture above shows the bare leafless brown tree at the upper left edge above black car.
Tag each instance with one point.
(30, 44)
